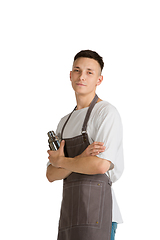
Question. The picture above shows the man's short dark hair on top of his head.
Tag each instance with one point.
(90, 54)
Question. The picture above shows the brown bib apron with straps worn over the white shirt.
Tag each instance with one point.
(86, 211)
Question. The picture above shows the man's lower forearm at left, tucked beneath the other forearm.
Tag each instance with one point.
(54, 173)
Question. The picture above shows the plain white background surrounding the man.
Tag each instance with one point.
(37, 44)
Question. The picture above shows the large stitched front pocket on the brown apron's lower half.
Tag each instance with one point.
(82, 204)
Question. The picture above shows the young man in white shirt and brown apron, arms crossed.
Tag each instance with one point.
(90, 157)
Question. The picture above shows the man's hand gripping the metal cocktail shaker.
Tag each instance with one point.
(55, 156)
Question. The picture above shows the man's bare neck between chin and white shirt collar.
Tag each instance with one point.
(84, 101)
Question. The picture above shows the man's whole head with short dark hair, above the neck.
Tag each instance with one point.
(86, 72)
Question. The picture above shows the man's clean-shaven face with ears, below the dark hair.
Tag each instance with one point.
(85, 75)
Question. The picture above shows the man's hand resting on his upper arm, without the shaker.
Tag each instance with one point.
(93, 149)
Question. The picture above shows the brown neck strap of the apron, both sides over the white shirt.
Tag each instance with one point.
(86, 118)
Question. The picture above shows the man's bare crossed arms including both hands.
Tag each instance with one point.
(86, 163)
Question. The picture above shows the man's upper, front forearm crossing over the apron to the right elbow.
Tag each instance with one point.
(85, 165)
